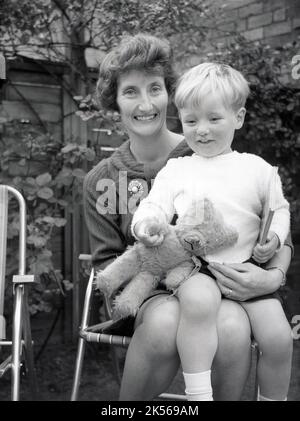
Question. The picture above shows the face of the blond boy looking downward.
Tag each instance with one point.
(209, 128)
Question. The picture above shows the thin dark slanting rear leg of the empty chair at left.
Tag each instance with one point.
(28, 351)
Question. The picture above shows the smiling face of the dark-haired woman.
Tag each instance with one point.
(142, 99)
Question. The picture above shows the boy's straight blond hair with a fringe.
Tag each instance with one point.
(207, 78)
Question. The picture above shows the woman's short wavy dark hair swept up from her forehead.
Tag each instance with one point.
(137, 52)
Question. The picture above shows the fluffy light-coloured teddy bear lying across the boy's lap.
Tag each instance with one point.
(171, 262)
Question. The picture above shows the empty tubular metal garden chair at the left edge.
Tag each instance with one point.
(21, 343)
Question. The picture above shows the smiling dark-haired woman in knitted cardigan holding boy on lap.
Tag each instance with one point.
(137, 79)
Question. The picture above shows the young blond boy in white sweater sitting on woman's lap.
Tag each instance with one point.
(211, 98)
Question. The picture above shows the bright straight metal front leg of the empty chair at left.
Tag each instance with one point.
(16, 342)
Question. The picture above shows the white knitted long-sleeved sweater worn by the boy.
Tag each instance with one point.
(238, 186)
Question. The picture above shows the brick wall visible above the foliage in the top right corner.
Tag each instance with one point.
(271, 21)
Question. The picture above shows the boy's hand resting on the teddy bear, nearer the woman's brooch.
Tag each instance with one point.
(150, 232)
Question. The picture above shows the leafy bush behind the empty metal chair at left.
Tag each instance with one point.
(47, 194)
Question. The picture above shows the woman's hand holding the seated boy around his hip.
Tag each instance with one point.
(245, 280)
